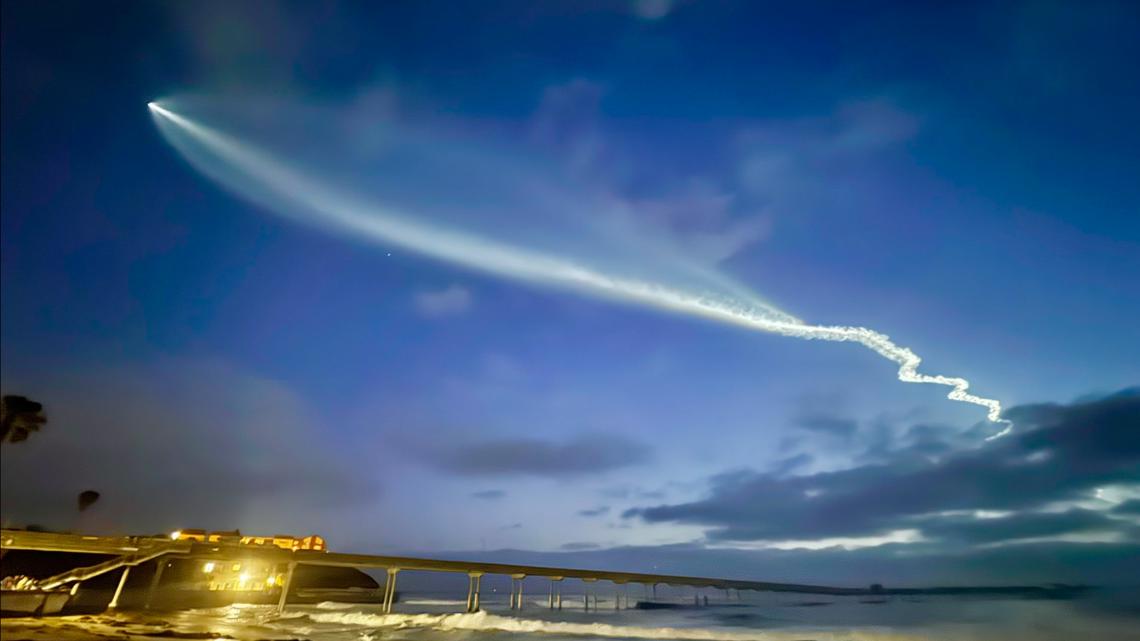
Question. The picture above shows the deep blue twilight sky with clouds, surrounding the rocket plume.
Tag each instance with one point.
(965, 178)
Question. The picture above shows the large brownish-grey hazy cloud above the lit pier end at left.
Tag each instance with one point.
(183, 443)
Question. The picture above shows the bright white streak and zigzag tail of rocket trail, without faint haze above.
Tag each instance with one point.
(262, 178)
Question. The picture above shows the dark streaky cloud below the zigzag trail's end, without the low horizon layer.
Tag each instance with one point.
(1062, 455)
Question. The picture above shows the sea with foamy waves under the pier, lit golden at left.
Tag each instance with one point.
(1101, 616)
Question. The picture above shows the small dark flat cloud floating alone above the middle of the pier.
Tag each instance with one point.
(584, 455)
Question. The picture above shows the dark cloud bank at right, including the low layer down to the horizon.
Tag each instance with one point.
(1043, 478)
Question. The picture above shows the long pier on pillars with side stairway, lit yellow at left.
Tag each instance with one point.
(132, 551)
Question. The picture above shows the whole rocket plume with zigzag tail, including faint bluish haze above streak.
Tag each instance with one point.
(400, 186)
